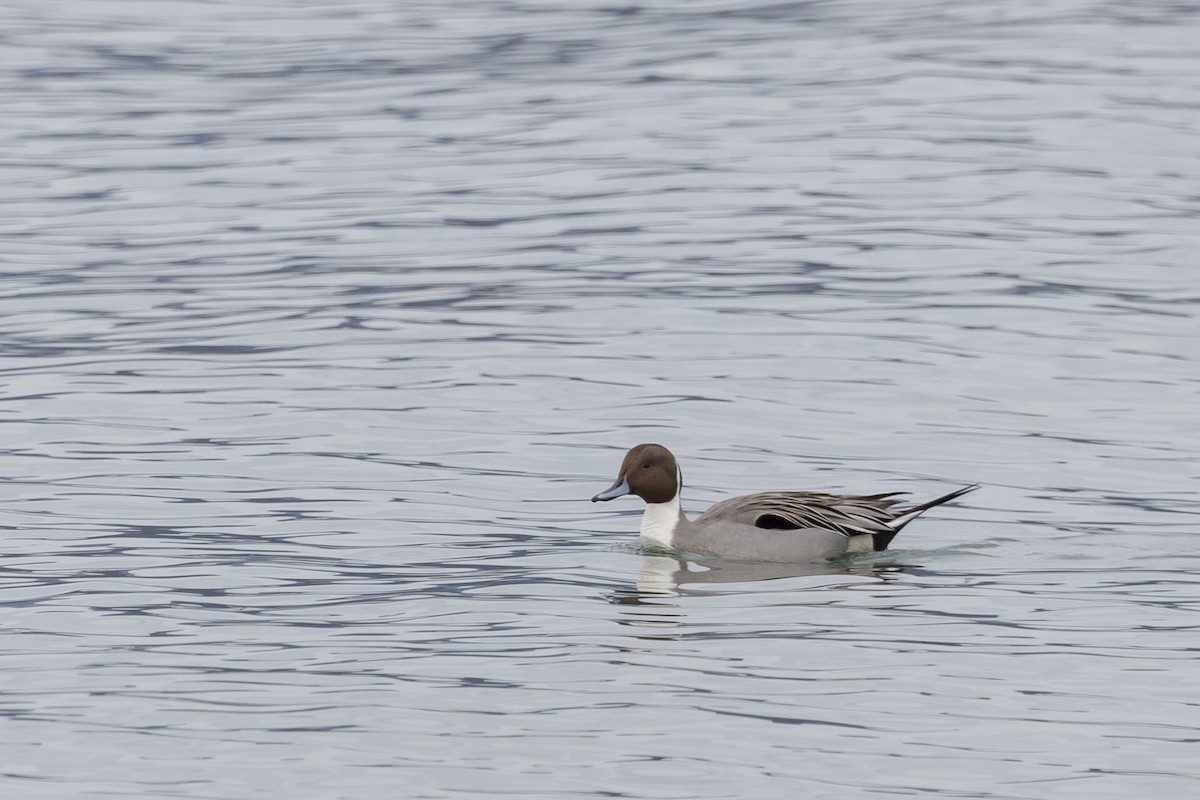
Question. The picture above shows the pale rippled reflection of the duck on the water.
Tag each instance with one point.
(651, 603)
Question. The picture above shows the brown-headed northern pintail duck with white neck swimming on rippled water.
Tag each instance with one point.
(767, 527)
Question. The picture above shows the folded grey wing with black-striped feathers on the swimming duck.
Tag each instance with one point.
(848, 515)
